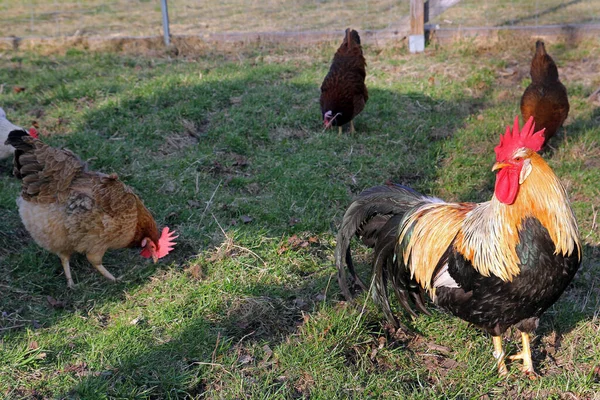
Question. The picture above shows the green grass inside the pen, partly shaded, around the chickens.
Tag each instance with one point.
(228, 149)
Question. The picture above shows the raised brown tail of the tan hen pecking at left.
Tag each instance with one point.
(46, 172)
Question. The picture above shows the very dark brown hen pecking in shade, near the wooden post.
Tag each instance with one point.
(343, 92)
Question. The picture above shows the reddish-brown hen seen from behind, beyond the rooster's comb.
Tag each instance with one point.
(546, 97)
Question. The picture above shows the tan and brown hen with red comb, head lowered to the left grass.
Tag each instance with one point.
(68, 209)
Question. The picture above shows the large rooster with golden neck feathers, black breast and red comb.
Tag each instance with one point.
(496, 264)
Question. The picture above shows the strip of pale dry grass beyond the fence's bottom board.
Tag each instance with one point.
(116, 18)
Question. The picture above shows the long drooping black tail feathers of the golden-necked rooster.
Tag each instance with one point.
(375, 217)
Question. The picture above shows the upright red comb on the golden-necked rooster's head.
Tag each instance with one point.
(518, 139)
